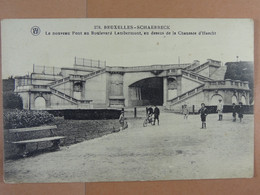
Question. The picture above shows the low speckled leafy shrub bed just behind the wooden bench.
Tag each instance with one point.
(26, 118)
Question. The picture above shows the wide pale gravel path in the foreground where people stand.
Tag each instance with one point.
(177, 149)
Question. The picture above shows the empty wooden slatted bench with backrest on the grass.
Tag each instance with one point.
(22, 143)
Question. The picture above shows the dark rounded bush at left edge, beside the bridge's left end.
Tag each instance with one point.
(12, 101)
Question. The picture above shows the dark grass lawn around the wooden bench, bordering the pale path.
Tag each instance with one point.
(75, 131)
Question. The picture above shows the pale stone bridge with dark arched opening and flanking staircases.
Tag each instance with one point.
(92, 84)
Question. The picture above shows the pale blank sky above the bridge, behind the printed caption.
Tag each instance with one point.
(21, 49)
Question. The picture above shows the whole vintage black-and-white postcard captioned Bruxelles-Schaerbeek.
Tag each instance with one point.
(89, 100)
